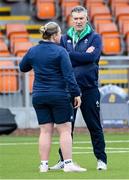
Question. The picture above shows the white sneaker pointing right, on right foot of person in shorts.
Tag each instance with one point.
(71, 167)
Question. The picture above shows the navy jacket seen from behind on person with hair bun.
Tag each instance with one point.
(52, 68)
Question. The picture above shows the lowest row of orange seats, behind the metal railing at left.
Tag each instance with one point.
(10, 77)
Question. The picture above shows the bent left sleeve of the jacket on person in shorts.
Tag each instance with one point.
(25, 64)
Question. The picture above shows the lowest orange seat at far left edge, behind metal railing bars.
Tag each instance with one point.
(8, 77)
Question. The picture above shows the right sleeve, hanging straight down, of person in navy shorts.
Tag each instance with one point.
(68, 74)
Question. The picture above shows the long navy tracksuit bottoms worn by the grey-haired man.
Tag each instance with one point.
(90, 109)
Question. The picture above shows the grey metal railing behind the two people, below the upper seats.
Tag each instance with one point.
(113, 70)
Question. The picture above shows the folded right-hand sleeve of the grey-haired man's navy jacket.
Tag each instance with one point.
(83, 58)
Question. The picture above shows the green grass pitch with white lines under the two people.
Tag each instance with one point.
(19, 158)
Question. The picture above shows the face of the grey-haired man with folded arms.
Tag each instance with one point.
(79, 20)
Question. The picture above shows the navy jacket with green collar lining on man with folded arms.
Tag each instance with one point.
(85, 64)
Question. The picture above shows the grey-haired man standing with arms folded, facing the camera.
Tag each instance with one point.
(84, 48)
